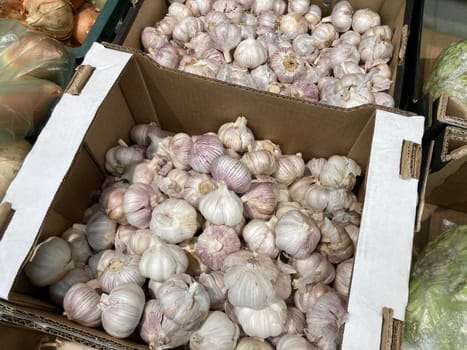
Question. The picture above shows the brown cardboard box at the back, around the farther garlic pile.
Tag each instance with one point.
(395, 13)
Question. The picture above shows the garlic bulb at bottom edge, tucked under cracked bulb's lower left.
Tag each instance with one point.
(158, 331)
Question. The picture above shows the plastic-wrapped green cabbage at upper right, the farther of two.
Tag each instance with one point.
(449, 74)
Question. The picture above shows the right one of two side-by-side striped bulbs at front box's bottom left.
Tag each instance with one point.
(122, 309)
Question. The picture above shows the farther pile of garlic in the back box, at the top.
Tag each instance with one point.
(280, 46)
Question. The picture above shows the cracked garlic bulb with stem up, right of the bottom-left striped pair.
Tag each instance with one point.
(184, 301)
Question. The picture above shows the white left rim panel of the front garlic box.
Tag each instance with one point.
(32, 191)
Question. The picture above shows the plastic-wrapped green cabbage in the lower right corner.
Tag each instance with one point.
(436, 317)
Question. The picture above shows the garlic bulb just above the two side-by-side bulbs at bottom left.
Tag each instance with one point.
(122, 269)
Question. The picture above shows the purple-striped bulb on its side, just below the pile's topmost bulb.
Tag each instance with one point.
(232, 172)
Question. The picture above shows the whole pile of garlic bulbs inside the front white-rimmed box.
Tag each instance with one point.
(219, 241)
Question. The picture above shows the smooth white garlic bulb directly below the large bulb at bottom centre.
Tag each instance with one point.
(266, 322)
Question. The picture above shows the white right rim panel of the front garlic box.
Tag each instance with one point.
(382, 261)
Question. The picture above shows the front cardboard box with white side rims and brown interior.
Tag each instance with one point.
(66, 167)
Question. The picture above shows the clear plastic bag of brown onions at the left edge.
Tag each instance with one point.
(34, 69)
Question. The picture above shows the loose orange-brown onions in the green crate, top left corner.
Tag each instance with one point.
(69, 20)
